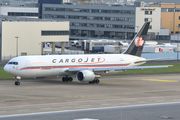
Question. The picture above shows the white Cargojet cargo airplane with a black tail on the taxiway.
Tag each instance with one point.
(87, 67)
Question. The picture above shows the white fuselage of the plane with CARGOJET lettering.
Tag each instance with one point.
(51, 65)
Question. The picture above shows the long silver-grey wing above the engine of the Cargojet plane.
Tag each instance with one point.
(74, 70)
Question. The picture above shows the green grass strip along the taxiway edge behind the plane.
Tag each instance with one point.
(174, 69)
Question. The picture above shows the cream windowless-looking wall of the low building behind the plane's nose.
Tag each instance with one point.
(30, 37)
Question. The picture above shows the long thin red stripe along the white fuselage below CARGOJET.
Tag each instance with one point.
(75, 66)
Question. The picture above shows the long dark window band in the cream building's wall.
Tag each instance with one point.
(44, 33)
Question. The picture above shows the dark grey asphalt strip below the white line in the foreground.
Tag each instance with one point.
(168, 111)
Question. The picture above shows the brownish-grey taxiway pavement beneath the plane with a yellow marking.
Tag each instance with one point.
(51, 94)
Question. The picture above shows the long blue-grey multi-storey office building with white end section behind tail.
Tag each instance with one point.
(119, 22)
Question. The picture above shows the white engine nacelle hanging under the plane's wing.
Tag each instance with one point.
(85, 75)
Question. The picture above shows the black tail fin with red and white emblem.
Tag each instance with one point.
(136, 45)
